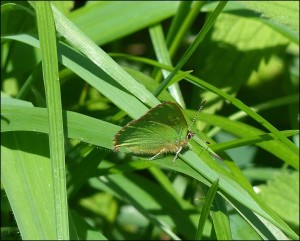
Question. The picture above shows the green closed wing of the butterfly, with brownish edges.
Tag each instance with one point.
(162, 128)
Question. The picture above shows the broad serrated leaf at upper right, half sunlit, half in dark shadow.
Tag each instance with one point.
(236, 48)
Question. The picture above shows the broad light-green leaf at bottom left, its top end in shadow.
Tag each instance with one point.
(26, 175)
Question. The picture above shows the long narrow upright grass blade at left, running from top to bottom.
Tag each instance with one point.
(47, 36)
